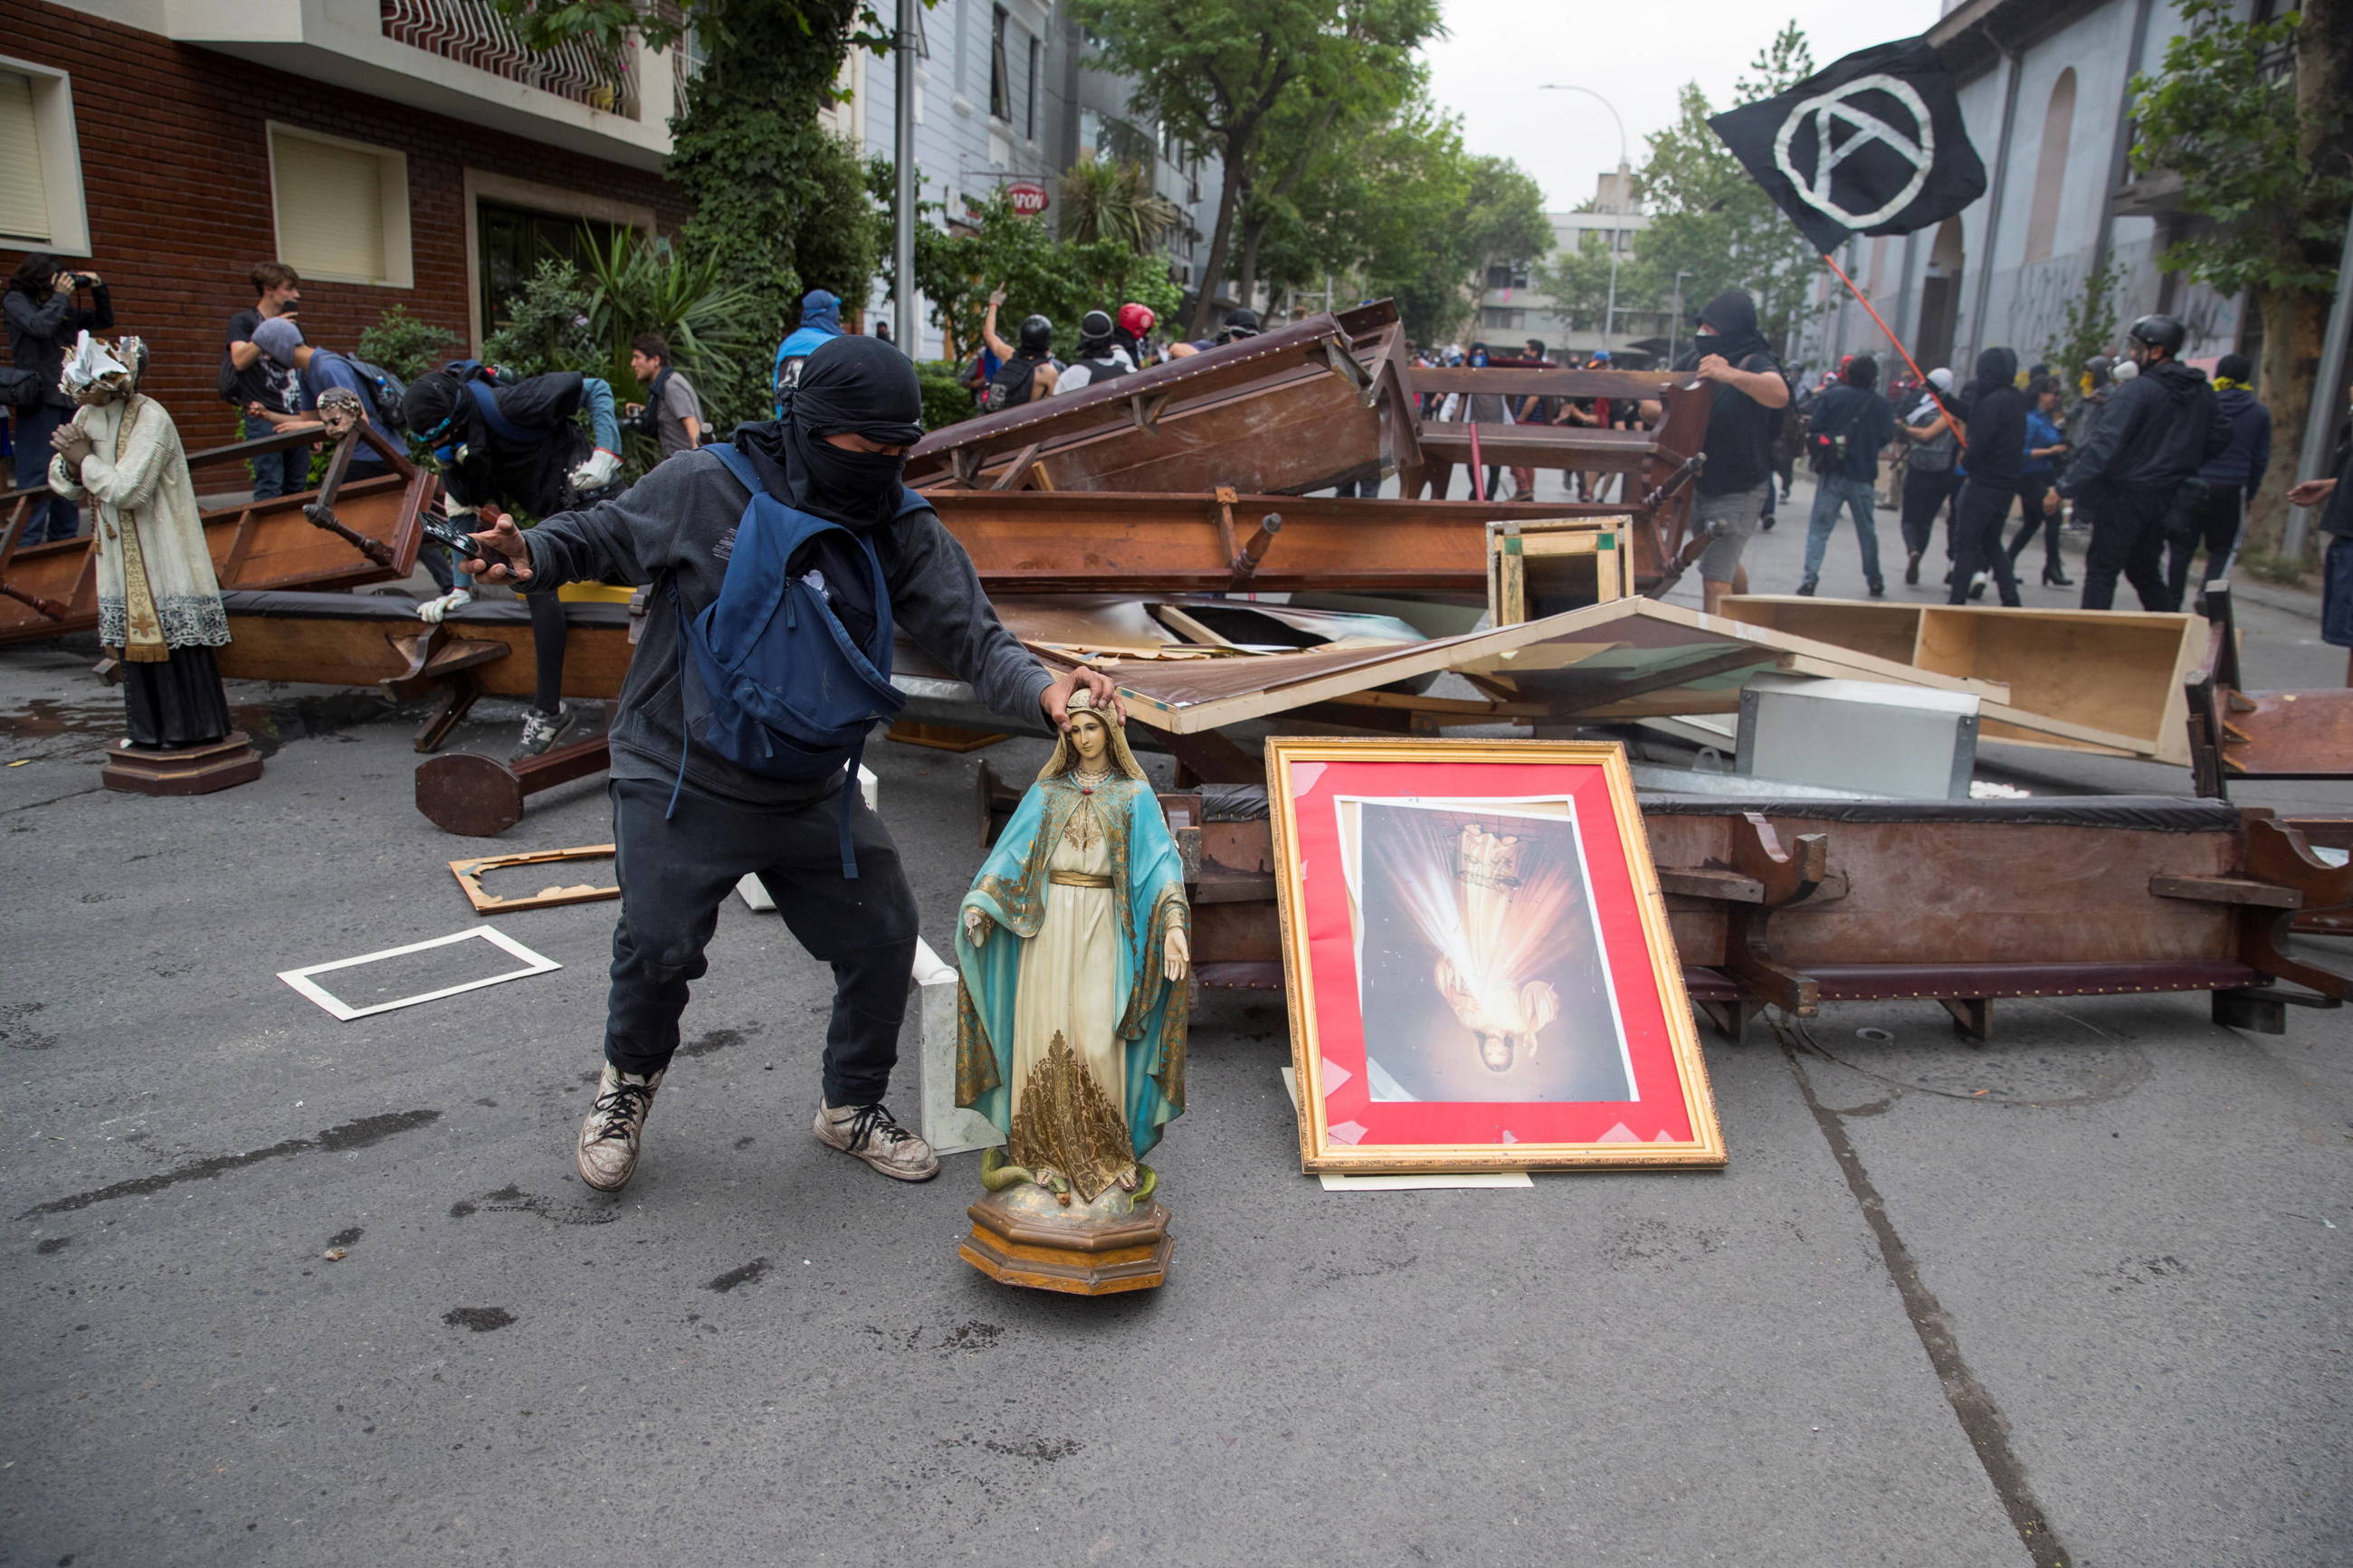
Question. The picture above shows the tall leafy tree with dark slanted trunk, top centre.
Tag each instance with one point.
(1218, 72)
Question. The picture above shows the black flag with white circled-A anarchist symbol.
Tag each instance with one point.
(1874, 145)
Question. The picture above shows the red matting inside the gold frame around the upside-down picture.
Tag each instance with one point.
(1352, 1115)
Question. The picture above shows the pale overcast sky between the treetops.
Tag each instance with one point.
(1634, 53)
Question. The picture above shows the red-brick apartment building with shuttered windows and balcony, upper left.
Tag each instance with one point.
(394, 152)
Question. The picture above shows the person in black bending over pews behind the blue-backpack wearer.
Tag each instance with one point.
(519, 445)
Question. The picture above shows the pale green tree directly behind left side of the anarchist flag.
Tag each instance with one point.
(1717, 225)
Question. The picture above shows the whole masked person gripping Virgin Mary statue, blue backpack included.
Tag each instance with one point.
(780, 565)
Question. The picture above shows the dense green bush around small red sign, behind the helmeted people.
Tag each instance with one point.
(1039, 274)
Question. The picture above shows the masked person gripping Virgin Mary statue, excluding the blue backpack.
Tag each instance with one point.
(688, 822)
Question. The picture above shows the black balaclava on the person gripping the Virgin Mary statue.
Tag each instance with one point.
(851, 384)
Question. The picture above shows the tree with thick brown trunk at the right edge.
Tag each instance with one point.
(2258, 123)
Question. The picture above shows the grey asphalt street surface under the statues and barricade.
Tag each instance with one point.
(2069, 1296)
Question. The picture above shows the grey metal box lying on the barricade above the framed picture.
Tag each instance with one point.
(1867, 737)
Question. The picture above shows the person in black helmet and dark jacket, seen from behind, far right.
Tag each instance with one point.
(2159, 431)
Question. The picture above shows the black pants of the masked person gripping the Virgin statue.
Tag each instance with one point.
(674, 876)
